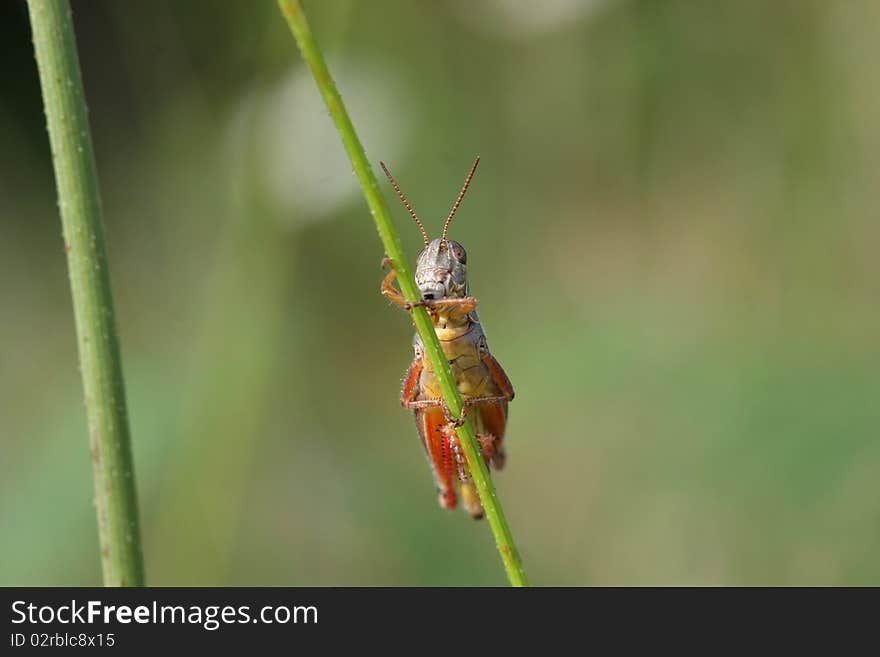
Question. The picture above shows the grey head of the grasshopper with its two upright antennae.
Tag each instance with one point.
(441, 269)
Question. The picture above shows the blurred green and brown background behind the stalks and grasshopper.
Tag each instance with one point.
(673, 235)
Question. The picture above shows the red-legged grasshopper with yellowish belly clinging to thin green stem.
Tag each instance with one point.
(441, 275)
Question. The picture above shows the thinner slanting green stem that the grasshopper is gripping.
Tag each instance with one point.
(296, 19)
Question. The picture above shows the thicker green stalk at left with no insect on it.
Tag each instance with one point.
(80, 204)
